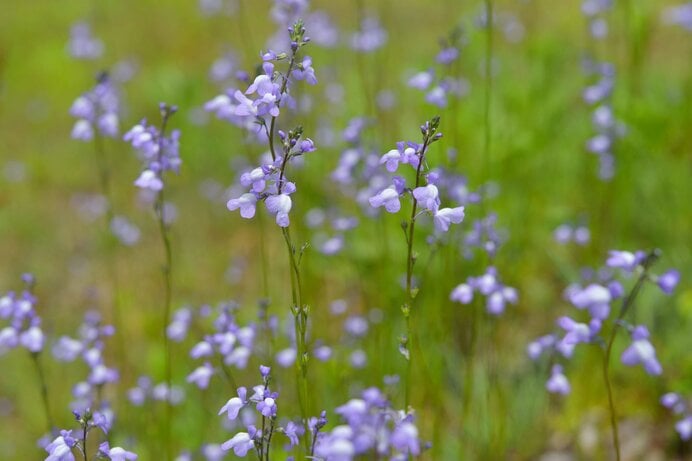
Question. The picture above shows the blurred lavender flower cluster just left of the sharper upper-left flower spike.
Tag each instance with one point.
(96, 111)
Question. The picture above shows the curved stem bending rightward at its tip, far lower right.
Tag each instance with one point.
(626, 305)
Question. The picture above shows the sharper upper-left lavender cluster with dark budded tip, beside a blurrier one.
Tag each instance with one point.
(158, 152)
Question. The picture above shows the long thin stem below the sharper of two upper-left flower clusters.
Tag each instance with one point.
(166, 269)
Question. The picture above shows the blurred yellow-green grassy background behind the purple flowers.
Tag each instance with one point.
(476, 393)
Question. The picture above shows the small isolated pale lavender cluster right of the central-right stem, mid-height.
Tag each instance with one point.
(497, 294)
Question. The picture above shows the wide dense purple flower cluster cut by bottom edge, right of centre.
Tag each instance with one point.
(372, 429)
